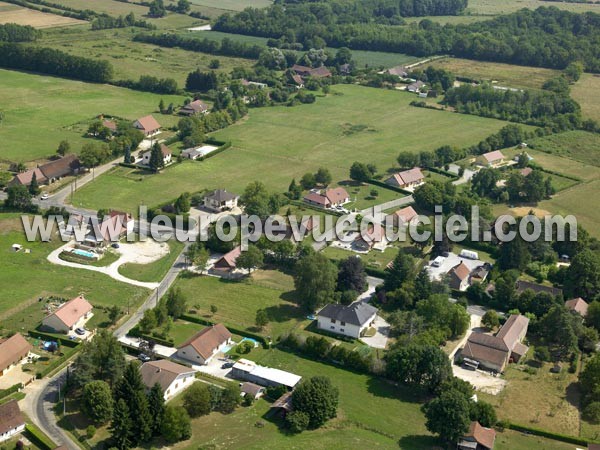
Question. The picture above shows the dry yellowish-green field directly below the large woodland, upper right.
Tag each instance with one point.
(504, 74)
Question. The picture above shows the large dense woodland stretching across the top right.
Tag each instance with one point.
(546, 37)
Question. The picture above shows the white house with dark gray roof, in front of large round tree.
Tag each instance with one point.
(348, 320)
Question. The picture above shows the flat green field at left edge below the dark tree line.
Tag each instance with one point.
(40, 111)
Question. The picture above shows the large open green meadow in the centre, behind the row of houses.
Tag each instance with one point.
(288, 142)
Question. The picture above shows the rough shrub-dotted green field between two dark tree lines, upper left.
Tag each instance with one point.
(132, 59)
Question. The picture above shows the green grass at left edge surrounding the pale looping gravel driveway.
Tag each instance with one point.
(25, 277)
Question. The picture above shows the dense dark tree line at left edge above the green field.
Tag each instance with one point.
(54, 62)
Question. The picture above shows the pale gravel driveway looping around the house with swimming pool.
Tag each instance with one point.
(136, 252)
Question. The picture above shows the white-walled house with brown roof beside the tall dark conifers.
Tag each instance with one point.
(172, 377)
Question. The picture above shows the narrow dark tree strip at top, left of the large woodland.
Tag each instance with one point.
(226, 47)
